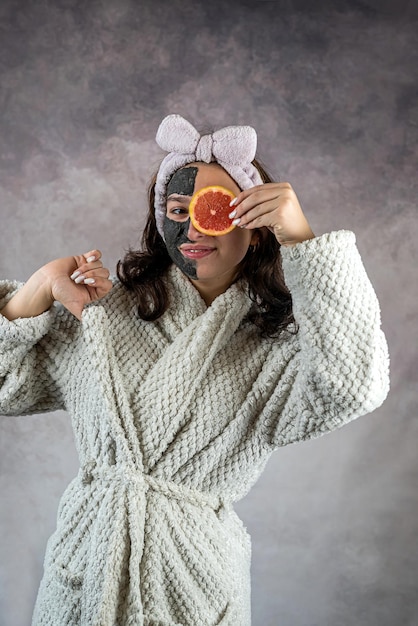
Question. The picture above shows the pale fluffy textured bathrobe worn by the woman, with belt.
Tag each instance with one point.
(174, 420)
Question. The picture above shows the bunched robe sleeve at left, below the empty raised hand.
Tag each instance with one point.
(34, 358)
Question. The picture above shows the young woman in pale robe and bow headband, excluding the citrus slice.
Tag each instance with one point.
(182, 376)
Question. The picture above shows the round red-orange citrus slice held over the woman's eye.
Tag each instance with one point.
(209, 210)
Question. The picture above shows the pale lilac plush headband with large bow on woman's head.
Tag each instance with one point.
(233, 147)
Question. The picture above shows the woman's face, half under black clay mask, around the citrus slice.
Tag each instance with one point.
(211, 263)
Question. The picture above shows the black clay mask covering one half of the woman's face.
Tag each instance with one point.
(182, 183)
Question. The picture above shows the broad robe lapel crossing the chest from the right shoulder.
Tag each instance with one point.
(168, 391)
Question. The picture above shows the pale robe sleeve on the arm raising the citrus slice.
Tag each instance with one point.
(341, 370)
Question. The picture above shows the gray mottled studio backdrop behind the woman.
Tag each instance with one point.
(333, 95)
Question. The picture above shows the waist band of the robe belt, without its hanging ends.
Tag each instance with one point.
(125, 475)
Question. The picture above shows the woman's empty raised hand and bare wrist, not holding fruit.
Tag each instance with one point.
(73, 281)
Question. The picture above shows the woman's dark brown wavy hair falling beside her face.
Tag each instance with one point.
(144, 272)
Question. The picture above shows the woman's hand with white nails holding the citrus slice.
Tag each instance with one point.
(275, 206)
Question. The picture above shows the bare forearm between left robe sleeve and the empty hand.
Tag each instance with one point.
(32, 299)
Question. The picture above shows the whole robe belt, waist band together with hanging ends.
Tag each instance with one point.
(122, 486)
